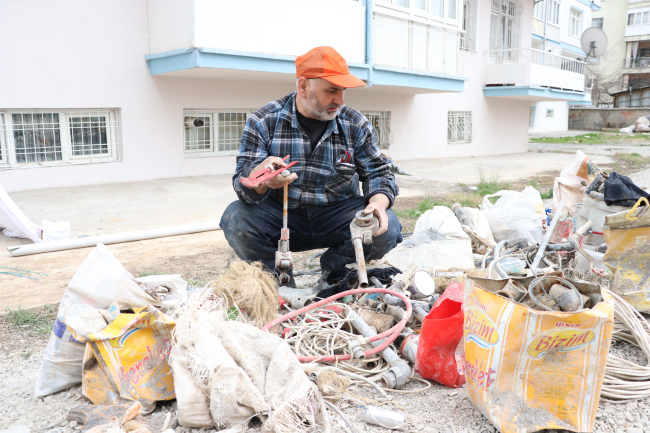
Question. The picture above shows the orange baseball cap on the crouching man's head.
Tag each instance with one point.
(328, 64)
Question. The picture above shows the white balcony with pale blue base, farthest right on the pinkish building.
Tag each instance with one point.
(533, 75)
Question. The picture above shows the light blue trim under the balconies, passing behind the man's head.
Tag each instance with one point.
(179, 60)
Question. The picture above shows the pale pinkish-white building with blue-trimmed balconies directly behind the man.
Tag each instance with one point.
(132, 90)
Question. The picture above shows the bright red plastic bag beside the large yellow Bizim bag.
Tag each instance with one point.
(440, 355)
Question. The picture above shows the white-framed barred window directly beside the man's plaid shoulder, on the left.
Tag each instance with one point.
(213, 132)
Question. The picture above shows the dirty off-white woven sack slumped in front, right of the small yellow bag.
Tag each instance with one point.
(245, 372)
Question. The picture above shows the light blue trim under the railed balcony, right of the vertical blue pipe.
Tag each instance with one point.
(389, 77)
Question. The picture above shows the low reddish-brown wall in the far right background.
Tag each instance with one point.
(599, 118)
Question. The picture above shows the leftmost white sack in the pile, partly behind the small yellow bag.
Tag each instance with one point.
(99, 281)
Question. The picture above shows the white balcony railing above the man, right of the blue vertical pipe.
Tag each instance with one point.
(405, 44)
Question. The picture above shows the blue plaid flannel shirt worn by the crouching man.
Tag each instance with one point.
(273, 130)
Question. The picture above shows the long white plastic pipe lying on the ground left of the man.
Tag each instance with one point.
(116, 238)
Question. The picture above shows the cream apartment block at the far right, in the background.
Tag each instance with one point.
(626, 64)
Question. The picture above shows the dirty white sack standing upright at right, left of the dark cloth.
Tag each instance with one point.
(570, 185)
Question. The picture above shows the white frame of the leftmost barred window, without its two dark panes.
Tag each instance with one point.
(8, 160)
